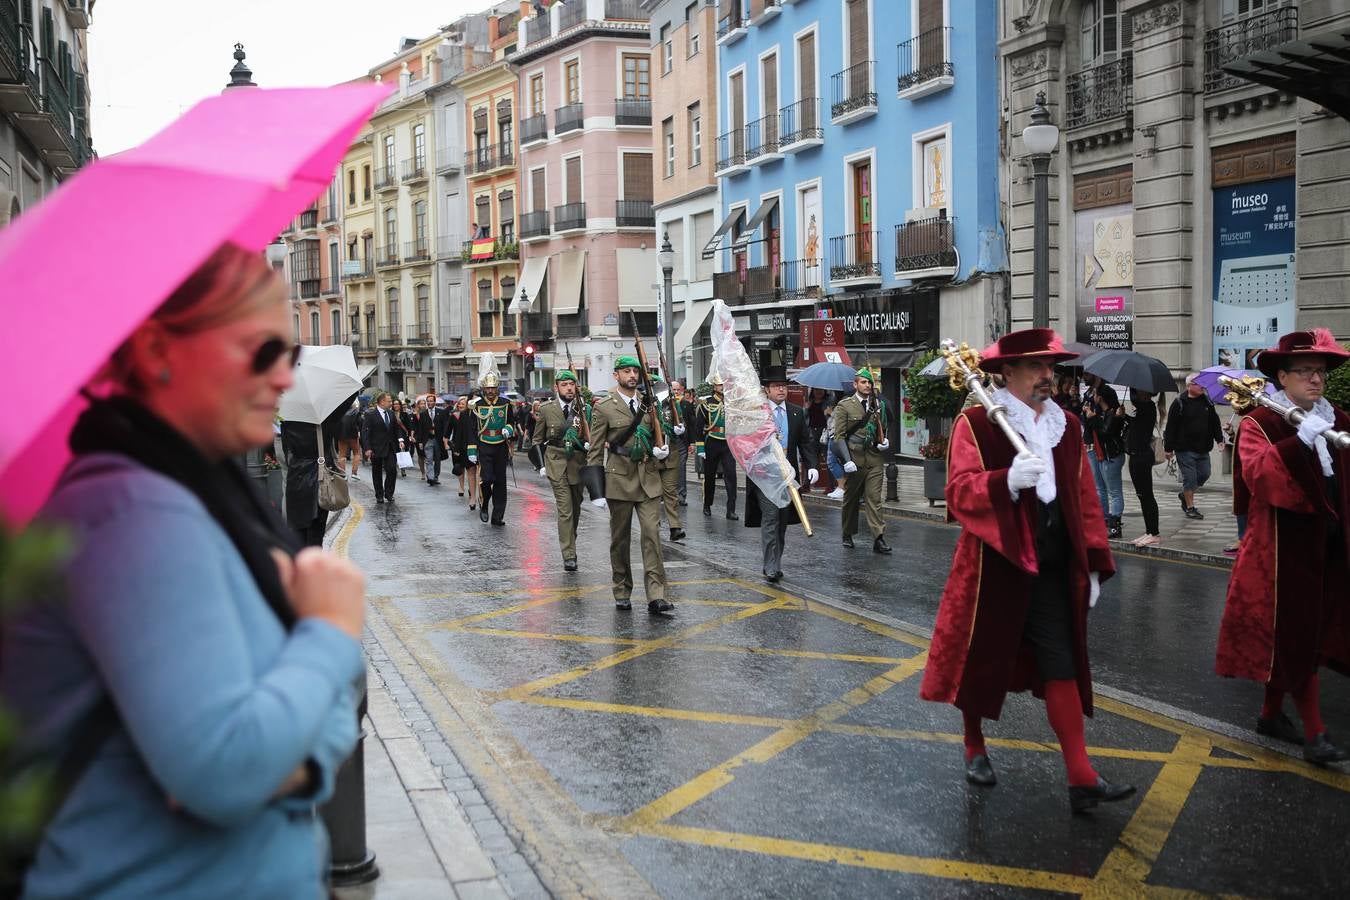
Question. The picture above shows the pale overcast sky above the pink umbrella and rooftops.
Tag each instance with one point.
(152, 60)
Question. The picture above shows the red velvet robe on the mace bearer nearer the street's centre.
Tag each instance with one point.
(978, 655)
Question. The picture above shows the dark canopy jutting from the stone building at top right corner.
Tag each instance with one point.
(1316, 68)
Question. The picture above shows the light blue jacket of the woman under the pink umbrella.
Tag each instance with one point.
(218, 705)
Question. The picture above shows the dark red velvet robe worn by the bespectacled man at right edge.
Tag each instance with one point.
(1289, 598)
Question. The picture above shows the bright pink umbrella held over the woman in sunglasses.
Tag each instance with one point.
(97, 258)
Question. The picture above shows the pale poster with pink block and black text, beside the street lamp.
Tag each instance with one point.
(1105, 287)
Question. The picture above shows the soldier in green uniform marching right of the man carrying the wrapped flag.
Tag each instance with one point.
(862, 424)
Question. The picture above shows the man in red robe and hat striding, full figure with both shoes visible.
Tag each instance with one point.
(1028, 566)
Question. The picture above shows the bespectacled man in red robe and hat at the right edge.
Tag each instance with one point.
(1289, 607)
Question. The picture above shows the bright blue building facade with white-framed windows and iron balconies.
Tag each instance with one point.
(859, 168)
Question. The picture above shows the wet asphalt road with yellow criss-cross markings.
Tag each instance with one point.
(763, 744)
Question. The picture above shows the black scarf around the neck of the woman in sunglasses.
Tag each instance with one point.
(122, 426)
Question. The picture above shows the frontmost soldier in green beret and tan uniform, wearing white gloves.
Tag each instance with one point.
(632, 484)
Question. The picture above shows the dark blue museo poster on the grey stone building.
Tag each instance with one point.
(1253, 269)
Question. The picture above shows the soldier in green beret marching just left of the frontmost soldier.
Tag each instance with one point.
(560, 454)
